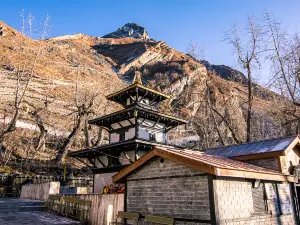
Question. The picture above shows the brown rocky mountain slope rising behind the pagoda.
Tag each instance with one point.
(73, 69)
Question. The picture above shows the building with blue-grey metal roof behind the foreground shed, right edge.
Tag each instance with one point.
(280, 154)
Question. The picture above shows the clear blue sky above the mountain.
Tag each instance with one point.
(178, 22)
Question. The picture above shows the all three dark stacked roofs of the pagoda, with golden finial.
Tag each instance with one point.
(138, 102)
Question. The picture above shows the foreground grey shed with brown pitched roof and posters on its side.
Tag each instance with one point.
(195, 188)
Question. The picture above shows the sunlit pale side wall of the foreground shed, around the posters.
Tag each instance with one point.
(234, 205)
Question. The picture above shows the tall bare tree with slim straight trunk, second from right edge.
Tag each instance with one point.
(248, 57)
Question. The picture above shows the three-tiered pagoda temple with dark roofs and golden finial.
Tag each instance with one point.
(133, 131)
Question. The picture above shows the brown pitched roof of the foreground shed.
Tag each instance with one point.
(216, 165)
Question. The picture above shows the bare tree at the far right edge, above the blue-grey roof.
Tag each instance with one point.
(283, 50)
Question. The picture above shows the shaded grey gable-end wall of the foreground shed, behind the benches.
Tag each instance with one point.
(166, 188)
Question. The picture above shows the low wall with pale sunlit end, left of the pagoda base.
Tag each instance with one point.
(39, 191)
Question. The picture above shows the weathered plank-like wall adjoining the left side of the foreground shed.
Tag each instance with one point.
(104, 208)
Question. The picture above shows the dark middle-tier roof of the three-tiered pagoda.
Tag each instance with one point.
(137, 112)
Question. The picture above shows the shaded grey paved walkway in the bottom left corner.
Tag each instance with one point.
(34, 218)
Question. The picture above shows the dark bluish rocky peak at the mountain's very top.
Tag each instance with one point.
(129, 30)
